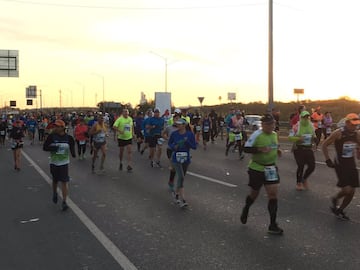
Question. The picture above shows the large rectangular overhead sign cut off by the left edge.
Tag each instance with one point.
(9, 63)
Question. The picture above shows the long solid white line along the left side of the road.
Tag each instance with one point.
(122, 260)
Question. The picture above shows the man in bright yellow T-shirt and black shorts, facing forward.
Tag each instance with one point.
(124, 125)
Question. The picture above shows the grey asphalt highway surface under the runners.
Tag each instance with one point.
(128, 221)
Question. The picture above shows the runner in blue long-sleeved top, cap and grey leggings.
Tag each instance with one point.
(180, 143)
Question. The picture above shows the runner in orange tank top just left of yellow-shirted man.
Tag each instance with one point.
(98, 131)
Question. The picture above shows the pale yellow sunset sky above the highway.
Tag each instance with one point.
(69, 48)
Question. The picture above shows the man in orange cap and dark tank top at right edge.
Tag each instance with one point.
(347, 145)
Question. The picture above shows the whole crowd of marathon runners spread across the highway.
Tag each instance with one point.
(79, 134)
